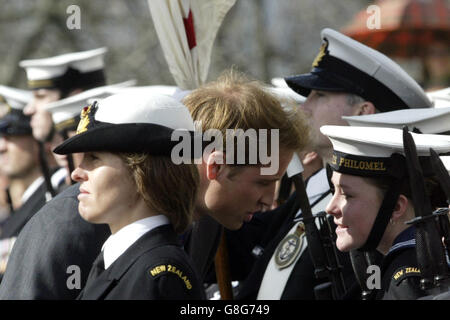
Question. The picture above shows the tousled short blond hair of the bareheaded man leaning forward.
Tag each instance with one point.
(235, 102)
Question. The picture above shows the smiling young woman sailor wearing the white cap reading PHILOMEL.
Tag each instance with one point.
(372, 201)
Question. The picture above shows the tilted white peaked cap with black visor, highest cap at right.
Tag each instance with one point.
(345, 65)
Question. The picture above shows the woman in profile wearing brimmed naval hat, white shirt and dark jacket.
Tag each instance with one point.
(129, 181)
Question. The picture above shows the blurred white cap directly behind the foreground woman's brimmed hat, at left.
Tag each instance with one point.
(66, 112)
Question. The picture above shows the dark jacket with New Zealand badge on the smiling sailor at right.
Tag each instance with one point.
(400, 274)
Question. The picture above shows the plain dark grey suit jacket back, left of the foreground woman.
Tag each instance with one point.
(53, 241)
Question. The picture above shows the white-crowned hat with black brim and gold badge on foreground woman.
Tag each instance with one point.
(130, 122)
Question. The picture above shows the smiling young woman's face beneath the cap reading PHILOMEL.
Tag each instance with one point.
(354, 205)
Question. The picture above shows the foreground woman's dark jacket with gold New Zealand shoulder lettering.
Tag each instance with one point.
(155, 267)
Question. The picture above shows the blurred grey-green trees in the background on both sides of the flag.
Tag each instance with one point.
(263, 38)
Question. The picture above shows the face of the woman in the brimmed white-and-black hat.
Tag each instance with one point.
(107, 191)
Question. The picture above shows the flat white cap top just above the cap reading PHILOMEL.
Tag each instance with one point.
(427, 120)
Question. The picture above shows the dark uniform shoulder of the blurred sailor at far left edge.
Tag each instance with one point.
(14, 223)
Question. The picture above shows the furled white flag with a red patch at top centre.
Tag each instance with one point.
(186, 30)
